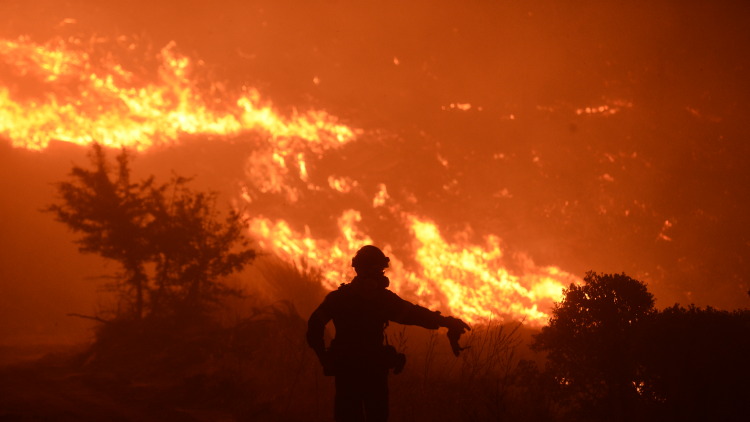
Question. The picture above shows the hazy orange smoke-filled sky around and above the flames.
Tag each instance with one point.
(606, 136)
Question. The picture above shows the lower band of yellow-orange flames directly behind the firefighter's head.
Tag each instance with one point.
(459, 278)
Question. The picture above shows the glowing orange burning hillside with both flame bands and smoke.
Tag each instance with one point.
(492, 158)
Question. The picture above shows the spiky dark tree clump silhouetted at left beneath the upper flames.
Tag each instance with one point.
(143, 225)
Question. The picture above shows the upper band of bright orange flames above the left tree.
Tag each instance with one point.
(109, 106)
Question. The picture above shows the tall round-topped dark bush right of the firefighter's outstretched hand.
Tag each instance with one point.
(590, 341)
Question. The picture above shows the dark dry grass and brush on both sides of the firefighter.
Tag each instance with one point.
(251, 363)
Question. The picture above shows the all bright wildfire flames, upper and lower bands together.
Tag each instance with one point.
(84, 99)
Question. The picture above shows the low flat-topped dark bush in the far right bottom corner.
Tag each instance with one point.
(695, 364)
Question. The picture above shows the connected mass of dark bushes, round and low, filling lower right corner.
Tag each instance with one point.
(613, 357)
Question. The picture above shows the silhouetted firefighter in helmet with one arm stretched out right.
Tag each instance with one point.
(357, 357)
